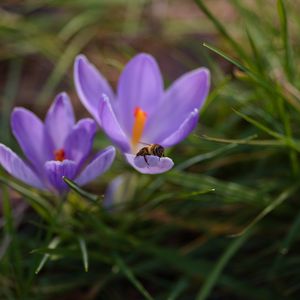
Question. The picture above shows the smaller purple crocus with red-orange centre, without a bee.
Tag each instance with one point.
(56, 148)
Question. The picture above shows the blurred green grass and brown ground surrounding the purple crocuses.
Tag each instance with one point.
(225, 222)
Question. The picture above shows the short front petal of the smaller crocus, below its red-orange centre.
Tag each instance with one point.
(55, 170)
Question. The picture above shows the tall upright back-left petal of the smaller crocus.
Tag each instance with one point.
(31, 136)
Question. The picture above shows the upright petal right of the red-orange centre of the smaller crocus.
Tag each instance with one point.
(79, 142)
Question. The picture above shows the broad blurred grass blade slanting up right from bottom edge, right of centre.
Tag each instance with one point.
(213, 277)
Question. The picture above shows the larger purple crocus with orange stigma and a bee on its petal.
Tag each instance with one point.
(141, 112)
